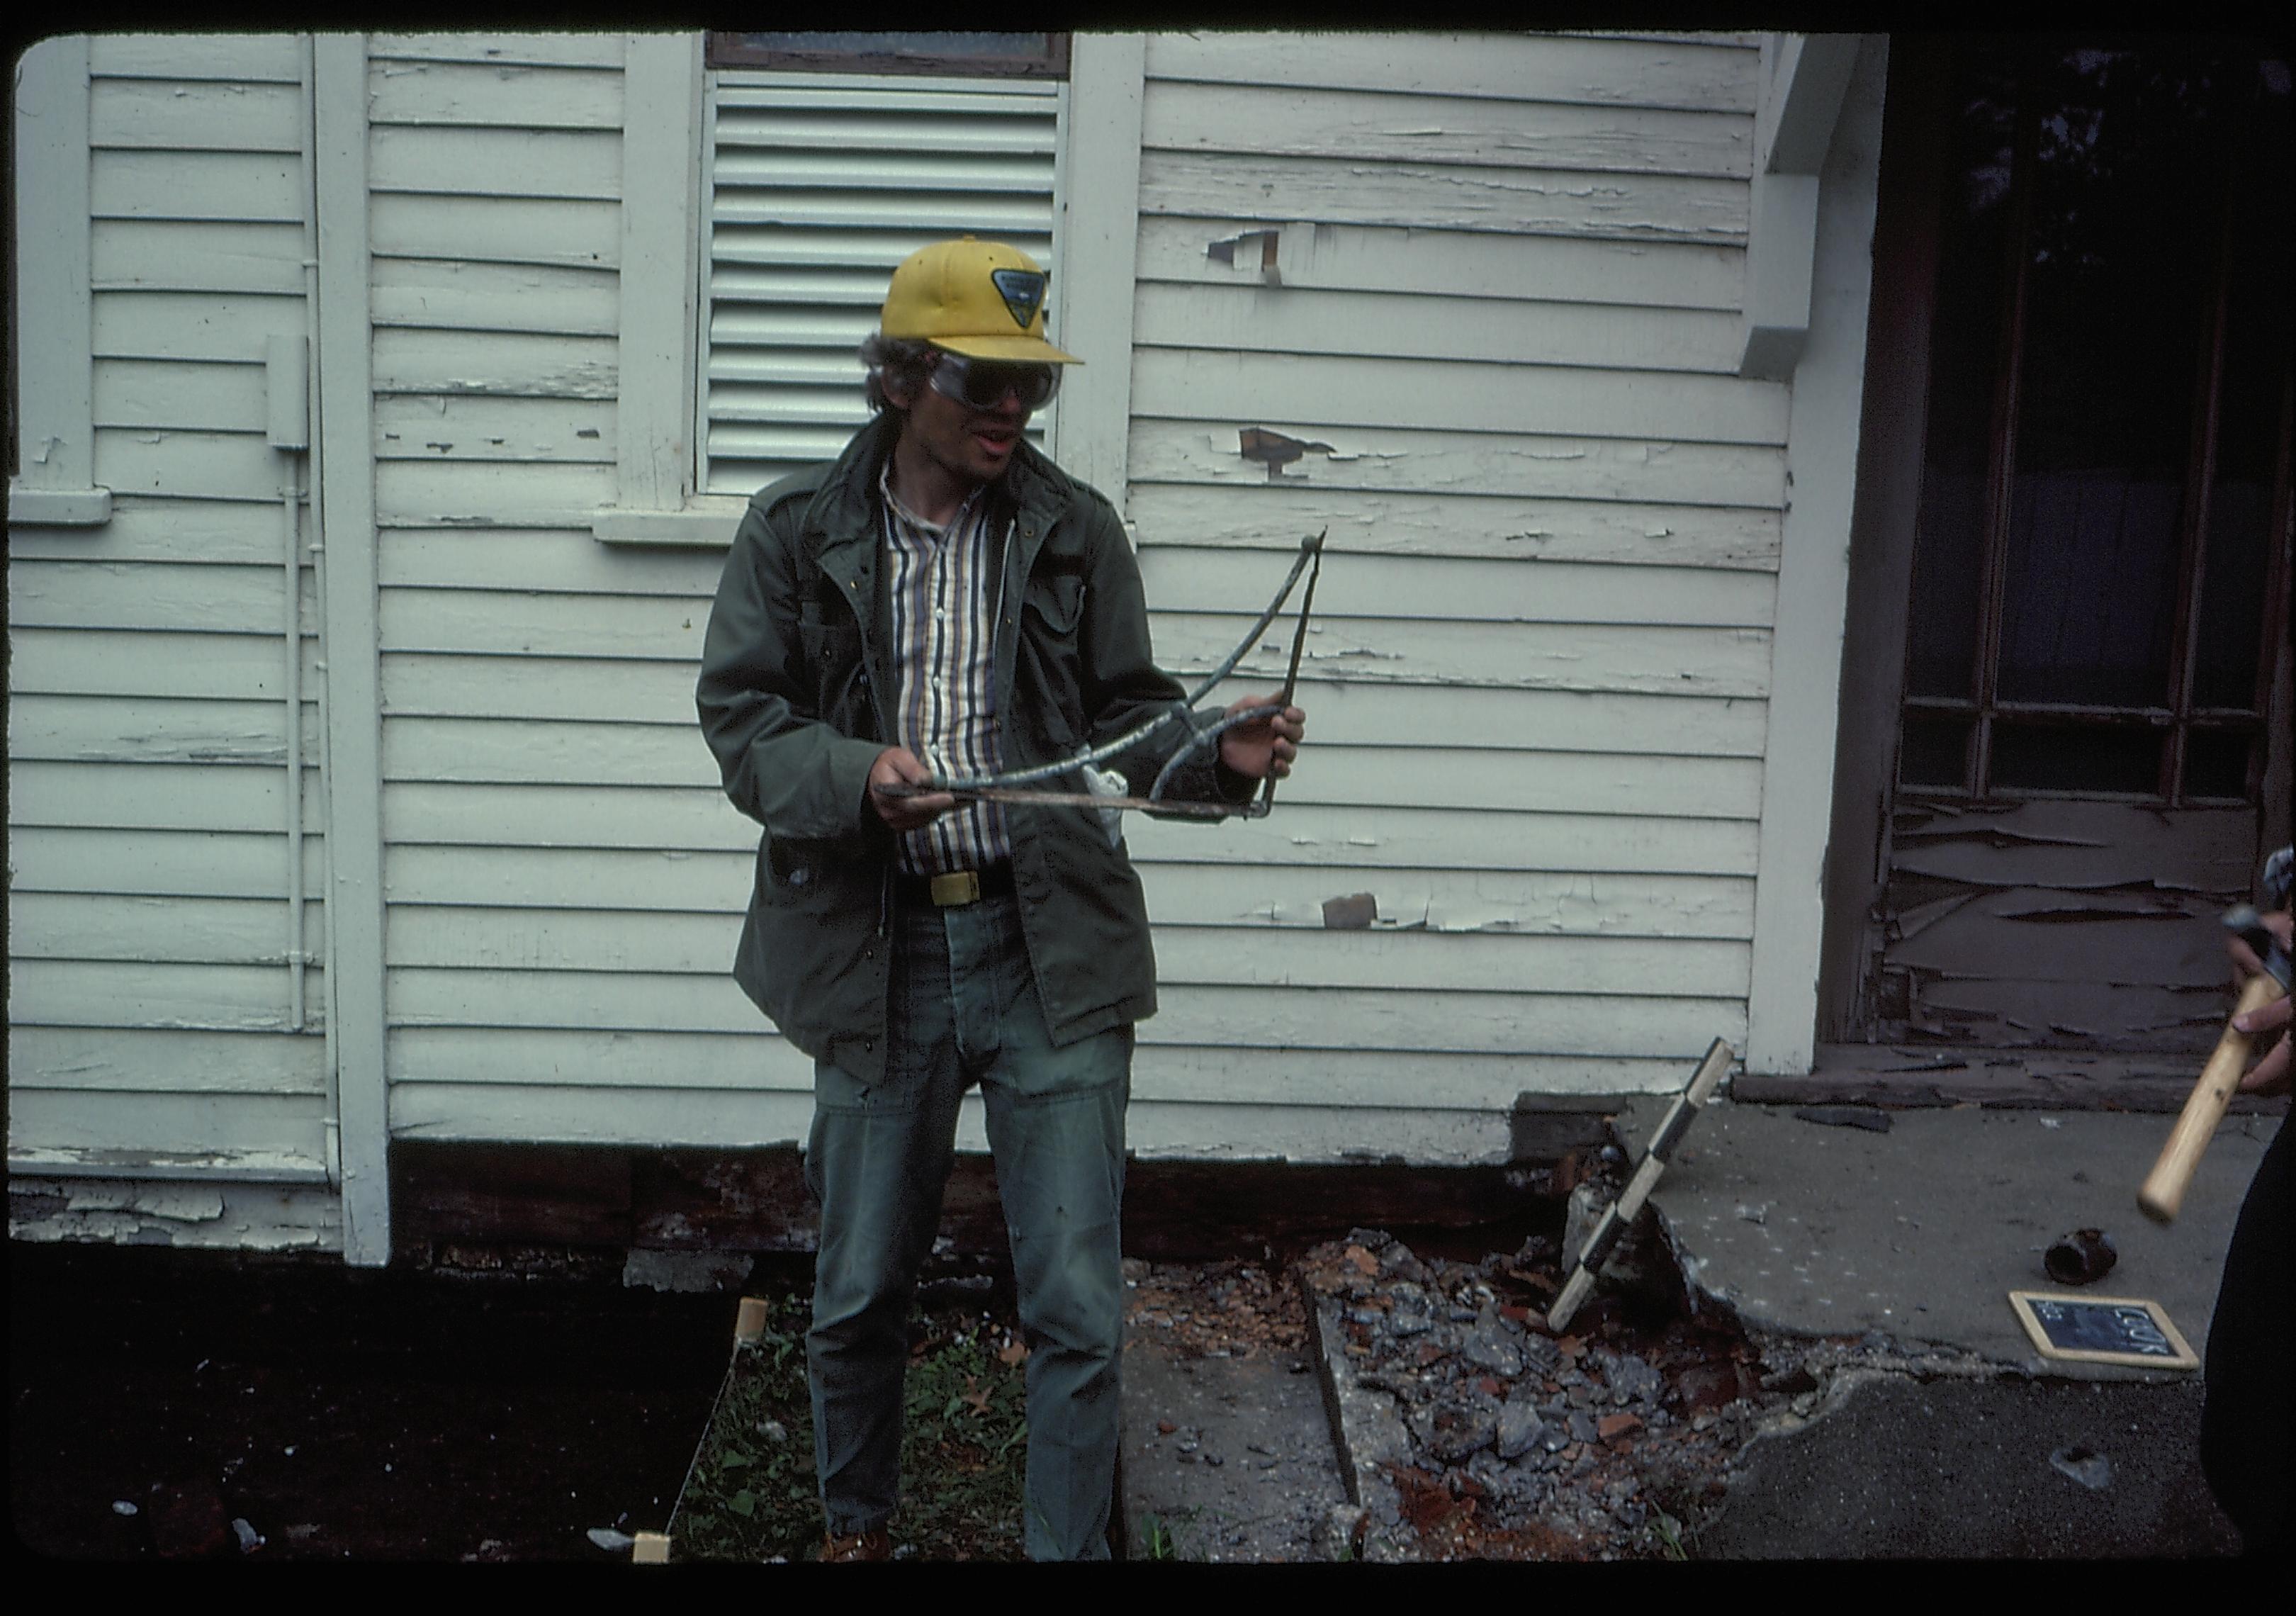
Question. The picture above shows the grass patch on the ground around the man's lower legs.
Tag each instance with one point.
(965, 1445)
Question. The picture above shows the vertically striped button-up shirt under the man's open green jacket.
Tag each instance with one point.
(945, 584)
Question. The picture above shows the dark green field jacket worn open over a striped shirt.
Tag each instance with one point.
(793, 699)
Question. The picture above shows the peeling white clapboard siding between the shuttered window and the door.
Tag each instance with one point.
(1489, 286)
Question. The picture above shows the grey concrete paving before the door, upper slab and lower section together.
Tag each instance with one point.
(1884, 1264)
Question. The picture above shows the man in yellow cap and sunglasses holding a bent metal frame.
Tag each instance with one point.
(943, 603)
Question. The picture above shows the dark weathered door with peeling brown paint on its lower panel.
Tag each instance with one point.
(2100, 559)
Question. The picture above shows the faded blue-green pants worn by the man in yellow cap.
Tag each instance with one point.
(965, 1011)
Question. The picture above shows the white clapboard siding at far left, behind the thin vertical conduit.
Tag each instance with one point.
(150, 997)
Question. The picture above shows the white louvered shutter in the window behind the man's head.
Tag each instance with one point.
(819, 187)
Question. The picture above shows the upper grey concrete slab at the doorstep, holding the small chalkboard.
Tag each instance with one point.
(1921, 1234)
